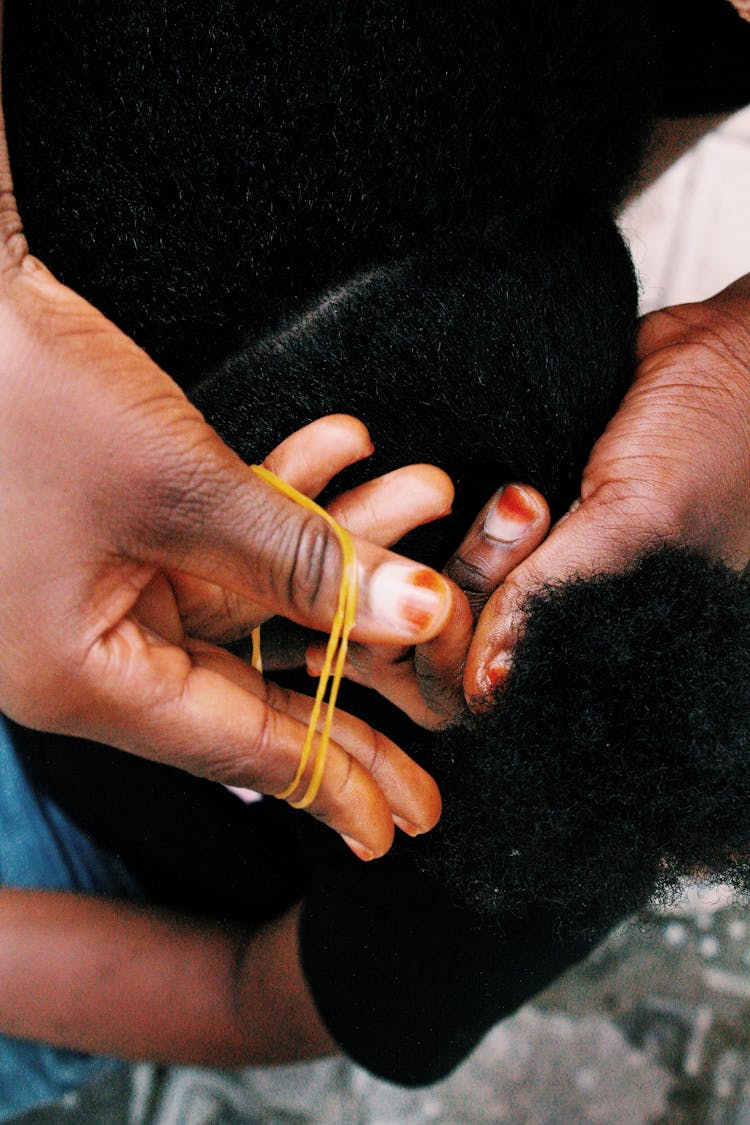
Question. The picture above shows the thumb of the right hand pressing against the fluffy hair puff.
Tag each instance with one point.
(600, 535)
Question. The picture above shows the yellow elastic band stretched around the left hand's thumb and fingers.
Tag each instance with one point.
(336, 652)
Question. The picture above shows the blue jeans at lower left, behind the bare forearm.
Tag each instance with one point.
(41, 849)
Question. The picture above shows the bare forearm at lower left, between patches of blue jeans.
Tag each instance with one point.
(112, 978)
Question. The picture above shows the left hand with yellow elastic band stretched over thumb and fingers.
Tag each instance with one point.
(114, 490)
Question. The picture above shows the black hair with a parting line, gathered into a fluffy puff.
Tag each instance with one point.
(406, 213)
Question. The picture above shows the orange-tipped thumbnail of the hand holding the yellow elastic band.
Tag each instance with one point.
(409, 597)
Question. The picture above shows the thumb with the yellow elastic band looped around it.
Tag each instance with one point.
(211, 517)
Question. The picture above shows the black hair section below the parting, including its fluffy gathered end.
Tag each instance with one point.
(617, 760)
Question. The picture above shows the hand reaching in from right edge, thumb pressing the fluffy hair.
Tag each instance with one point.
(674, 465)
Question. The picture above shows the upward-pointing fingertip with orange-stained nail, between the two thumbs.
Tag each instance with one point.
(508, 529)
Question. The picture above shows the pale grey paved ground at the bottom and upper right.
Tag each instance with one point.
(656, 1027)
